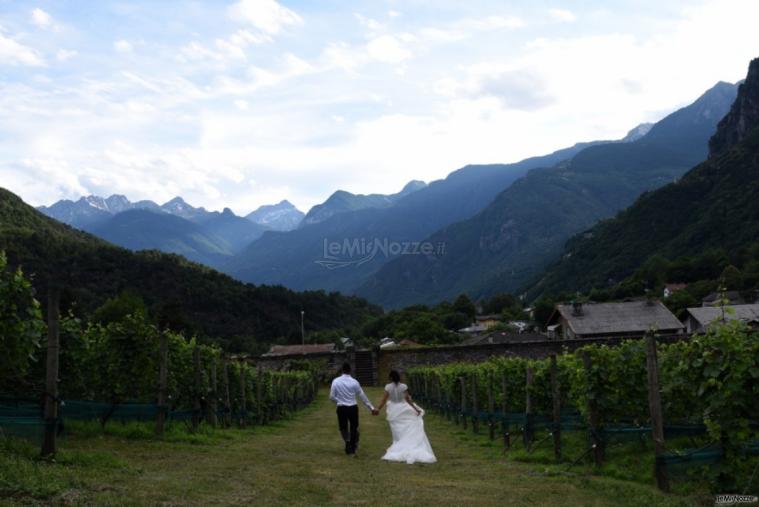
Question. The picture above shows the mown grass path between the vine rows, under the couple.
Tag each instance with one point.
(301, 462)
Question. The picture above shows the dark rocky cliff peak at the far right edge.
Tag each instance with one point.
(743, 116)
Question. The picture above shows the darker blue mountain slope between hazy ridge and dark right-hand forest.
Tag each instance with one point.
(525, 227)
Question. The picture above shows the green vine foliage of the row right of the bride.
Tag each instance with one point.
(711, 379)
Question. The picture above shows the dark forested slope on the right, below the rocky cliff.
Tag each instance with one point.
(709, 212)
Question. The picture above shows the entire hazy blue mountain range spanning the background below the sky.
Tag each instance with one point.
(489, 228)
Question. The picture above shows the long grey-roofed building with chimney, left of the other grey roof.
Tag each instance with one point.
(600, 320)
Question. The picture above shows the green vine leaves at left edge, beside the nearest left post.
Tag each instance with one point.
(21, 325)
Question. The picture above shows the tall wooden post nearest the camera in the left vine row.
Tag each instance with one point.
(49, 444)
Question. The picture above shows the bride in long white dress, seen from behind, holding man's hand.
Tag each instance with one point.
(406, 421)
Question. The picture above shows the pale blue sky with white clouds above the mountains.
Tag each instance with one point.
(245, 103)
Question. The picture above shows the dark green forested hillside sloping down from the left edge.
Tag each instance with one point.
(186, 295)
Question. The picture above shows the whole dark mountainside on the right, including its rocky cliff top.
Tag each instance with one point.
(715, 205)
